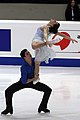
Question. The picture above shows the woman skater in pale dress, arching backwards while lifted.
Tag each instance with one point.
(42, 46)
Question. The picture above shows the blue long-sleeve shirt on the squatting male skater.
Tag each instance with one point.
(27, 71)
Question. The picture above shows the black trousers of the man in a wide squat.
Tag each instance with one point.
(18, 86)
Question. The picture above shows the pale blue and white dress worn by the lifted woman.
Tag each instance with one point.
(44, 53)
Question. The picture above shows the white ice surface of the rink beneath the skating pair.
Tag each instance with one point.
(64, 102)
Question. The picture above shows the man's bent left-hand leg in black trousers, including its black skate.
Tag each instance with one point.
(8, 96)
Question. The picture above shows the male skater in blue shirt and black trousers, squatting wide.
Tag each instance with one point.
(26, 81)
